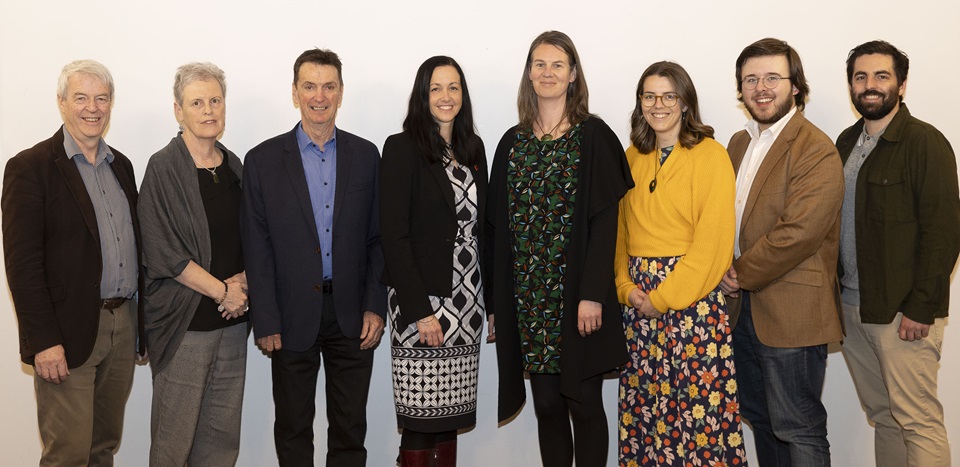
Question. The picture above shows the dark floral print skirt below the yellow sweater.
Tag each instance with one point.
(678, 392)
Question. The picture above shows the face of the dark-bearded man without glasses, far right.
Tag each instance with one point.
(873, 88)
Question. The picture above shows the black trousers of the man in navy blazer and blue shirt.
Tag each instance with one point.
(347, 371)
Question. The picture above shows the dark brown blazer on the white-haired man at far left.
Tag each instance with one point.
(51, 245)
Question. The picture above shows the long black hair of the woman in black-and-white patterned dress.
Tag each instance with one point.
(426, 131)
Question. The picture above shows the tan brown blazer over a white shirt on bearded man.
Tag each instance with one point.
(789, 238)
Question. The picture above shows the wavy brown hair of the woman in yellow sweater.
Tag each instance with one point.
(692, 130)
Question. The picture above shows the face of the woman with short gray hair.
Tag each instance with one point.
(203, 112)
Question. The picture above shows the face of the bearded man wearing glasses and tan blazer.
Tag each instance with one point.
(767, 106)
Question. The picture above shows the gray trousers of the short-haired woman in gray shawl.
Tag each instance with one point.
(197, 400)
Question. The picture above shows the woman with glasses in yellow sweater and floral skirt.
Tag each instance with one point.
(678, 395)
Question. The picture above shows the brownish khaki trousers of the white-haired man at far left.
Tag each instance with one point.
(81, 419)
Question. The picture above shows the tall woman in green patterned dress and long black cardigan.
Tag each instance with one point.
(555, 183)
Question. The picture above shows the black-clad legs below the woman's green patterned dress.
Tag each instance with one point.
(588, 440)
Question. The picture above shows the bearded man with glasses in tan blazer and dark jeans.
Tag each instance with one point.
(784, 275)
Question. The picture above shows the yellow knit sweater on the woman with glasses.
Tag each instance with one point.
(690, 214)
